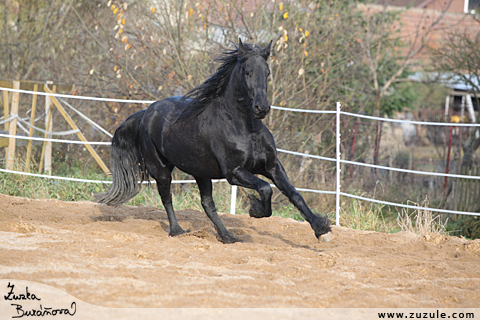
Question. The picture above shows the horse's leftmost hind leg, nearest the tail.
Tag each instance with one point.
(163, 175)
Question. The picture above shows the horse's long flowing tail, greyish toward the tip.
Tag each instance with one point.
(128, 166)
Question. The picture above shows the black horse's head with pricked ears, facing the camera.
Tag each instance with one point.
(255, 74)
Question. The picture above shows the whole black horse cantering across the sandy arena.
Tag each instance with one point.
(214, 131)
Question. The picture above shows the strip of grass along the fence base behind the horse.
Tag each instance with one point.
(354, 213)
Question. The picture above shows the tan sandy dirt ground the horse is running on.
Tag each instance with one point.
(123, 257)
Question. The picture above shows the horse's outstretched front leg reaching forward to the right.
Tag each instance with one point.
(320, 225)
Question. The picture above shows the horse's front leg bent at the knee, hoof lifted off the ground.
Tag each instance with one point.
(258, 208)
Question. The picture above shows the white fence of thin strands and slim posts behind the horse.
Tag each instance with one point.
(338, 193)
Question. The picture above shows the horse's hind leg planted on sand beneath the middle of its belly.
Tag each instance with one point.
(205, 187)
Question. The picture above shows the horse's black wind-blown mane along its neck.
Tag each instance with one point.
(215, 86)
